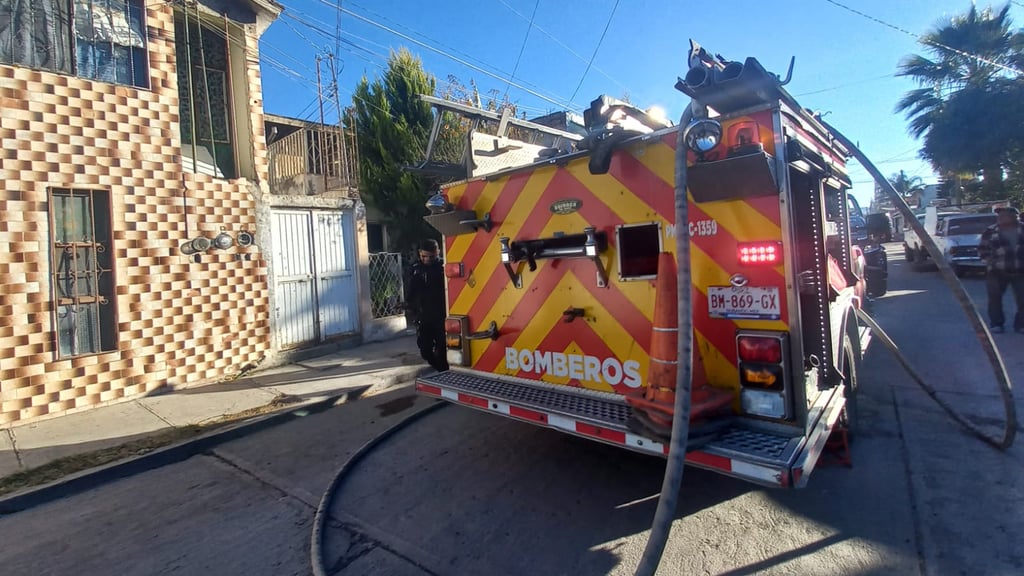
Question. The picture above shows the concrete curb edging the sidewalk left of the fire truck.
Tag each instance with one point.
(94, 478)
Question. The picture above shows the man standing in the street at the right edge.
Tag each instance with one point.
(1003, 250)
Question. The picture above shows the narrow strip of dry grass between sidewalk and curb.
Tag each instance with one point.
(71, 465)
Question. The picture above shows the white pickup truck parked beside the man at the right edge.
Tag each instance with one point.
(956, 234)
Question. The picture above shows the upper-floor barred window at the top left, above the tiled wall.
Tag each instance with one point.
(100, 39)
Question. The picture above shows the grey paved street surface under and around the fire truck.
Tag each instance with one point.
(464, 493)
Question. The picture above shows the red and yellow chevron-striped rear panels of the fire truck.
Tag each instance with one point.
(638, 188)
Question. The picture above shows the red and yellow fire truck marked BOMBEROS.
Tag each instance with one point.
(562, 272)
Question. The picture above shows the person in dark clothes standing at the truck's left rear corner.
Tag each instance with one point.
(426, 300)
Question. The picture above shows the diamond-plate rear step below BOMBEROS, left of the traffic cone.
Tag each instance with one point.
(571, 404)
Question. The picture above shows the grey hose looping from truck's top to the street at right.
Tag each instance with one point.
(963, 299)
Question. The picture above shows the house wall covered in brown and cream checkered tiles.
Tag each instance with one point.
(179, 322)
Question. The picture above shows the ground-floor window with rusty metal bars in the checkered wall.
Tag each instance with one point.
(82, 272)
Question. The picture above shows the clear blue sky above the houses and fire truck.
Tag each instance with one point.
(845, 62)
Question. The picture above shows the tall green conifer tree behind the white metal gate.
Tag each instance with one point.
(393, 127)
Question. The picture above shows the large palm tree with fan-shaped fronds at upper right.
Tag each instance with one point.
(967, 108)
